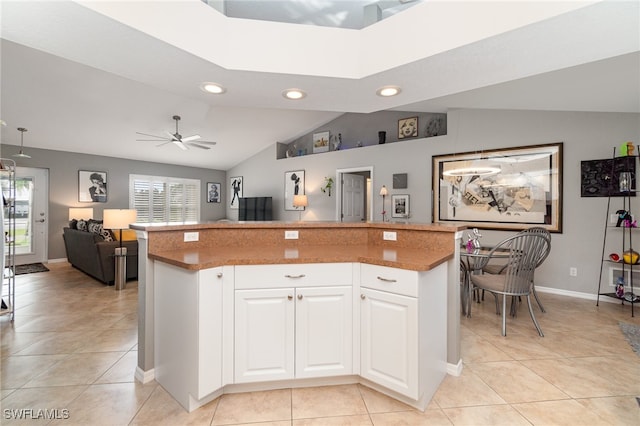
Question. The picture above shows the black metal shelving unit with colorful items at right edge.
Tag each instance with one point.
(627, 232)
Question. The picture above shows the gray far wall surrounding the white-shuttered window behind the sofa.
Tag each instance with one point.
(63, 185)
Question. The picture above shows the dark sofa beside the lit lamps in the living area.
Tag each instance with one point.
(91, 254)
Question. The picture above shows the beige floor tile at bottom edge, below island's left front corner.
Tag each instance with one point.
(162, 409)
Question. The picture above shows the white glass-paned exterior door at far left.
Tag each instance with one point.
(32, 201)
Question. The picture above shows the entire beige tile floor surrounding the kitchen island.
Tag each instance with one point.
(73, 347)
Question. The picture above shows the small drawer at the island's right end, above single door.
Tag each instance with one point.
(398, 281)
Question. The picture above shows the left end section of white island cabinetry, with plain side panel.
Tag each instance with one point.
(188, 324)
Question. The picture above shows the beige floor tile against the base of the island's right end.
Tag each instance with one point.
(465, 391)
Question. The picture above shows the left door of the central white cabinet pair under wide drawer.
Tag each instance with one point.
(264, 333)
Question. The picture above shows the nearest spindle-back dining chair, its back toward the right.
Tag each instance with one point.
(525, 251)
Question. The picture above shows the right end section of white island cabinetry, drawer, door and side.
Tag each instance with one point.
(402, 329)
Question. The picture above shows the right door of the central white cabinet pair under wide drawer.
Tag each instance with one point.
(324, 331)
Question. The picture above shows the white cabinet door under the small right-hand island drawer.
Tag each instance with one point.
(389, 341)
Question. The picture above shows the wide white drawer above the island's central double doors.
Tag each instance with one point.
(293, 275)
